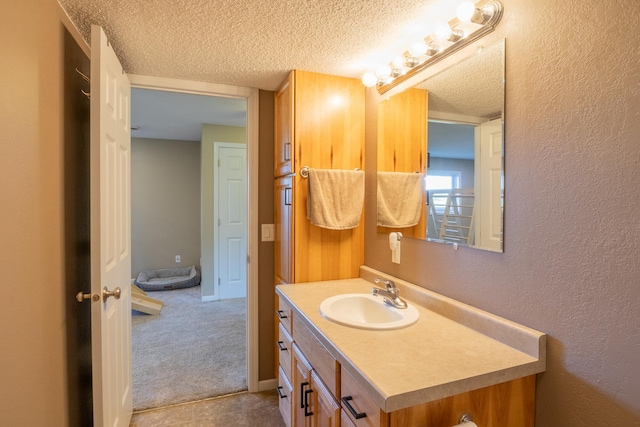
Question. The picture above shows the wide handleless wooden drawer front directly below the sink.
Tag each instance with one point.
(319, 358)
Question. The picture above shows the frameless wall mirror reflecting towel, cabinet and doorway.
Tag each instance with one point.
(441, 155)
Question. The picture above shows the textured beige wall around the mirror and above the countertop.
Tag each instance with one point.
(572, 239)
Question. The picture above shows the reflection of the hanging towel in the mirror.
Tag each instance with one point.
(399, 199)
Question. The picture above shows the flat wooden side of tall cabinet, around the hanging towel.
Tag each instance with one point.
(329, 134)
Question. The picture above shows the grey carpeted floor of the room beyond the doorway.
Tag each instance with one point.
(192, 350)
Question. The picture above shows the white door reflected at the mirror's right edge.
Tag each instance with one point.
(488, 212)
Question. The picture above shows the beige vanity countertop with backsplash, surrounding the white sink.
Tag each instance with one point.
(452, 349)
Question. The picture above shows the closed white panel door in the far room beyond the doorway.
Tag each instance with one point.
(230, 207)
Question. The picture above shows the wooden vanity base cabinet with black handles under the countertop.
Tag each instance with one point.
(316, 391)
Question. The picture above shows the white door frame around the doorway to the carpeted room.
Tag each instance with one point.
(252, 97)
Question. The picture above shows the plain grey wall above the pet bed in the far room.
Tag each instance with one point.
(165, 204)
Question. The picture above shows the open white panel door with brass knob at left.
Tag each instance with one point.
(110, 235)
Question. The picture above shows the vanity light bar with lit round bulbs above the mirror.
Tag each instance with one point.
(473, 21)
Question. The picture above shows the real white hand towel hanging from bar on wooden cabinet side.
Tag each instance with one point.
(335, 198)
